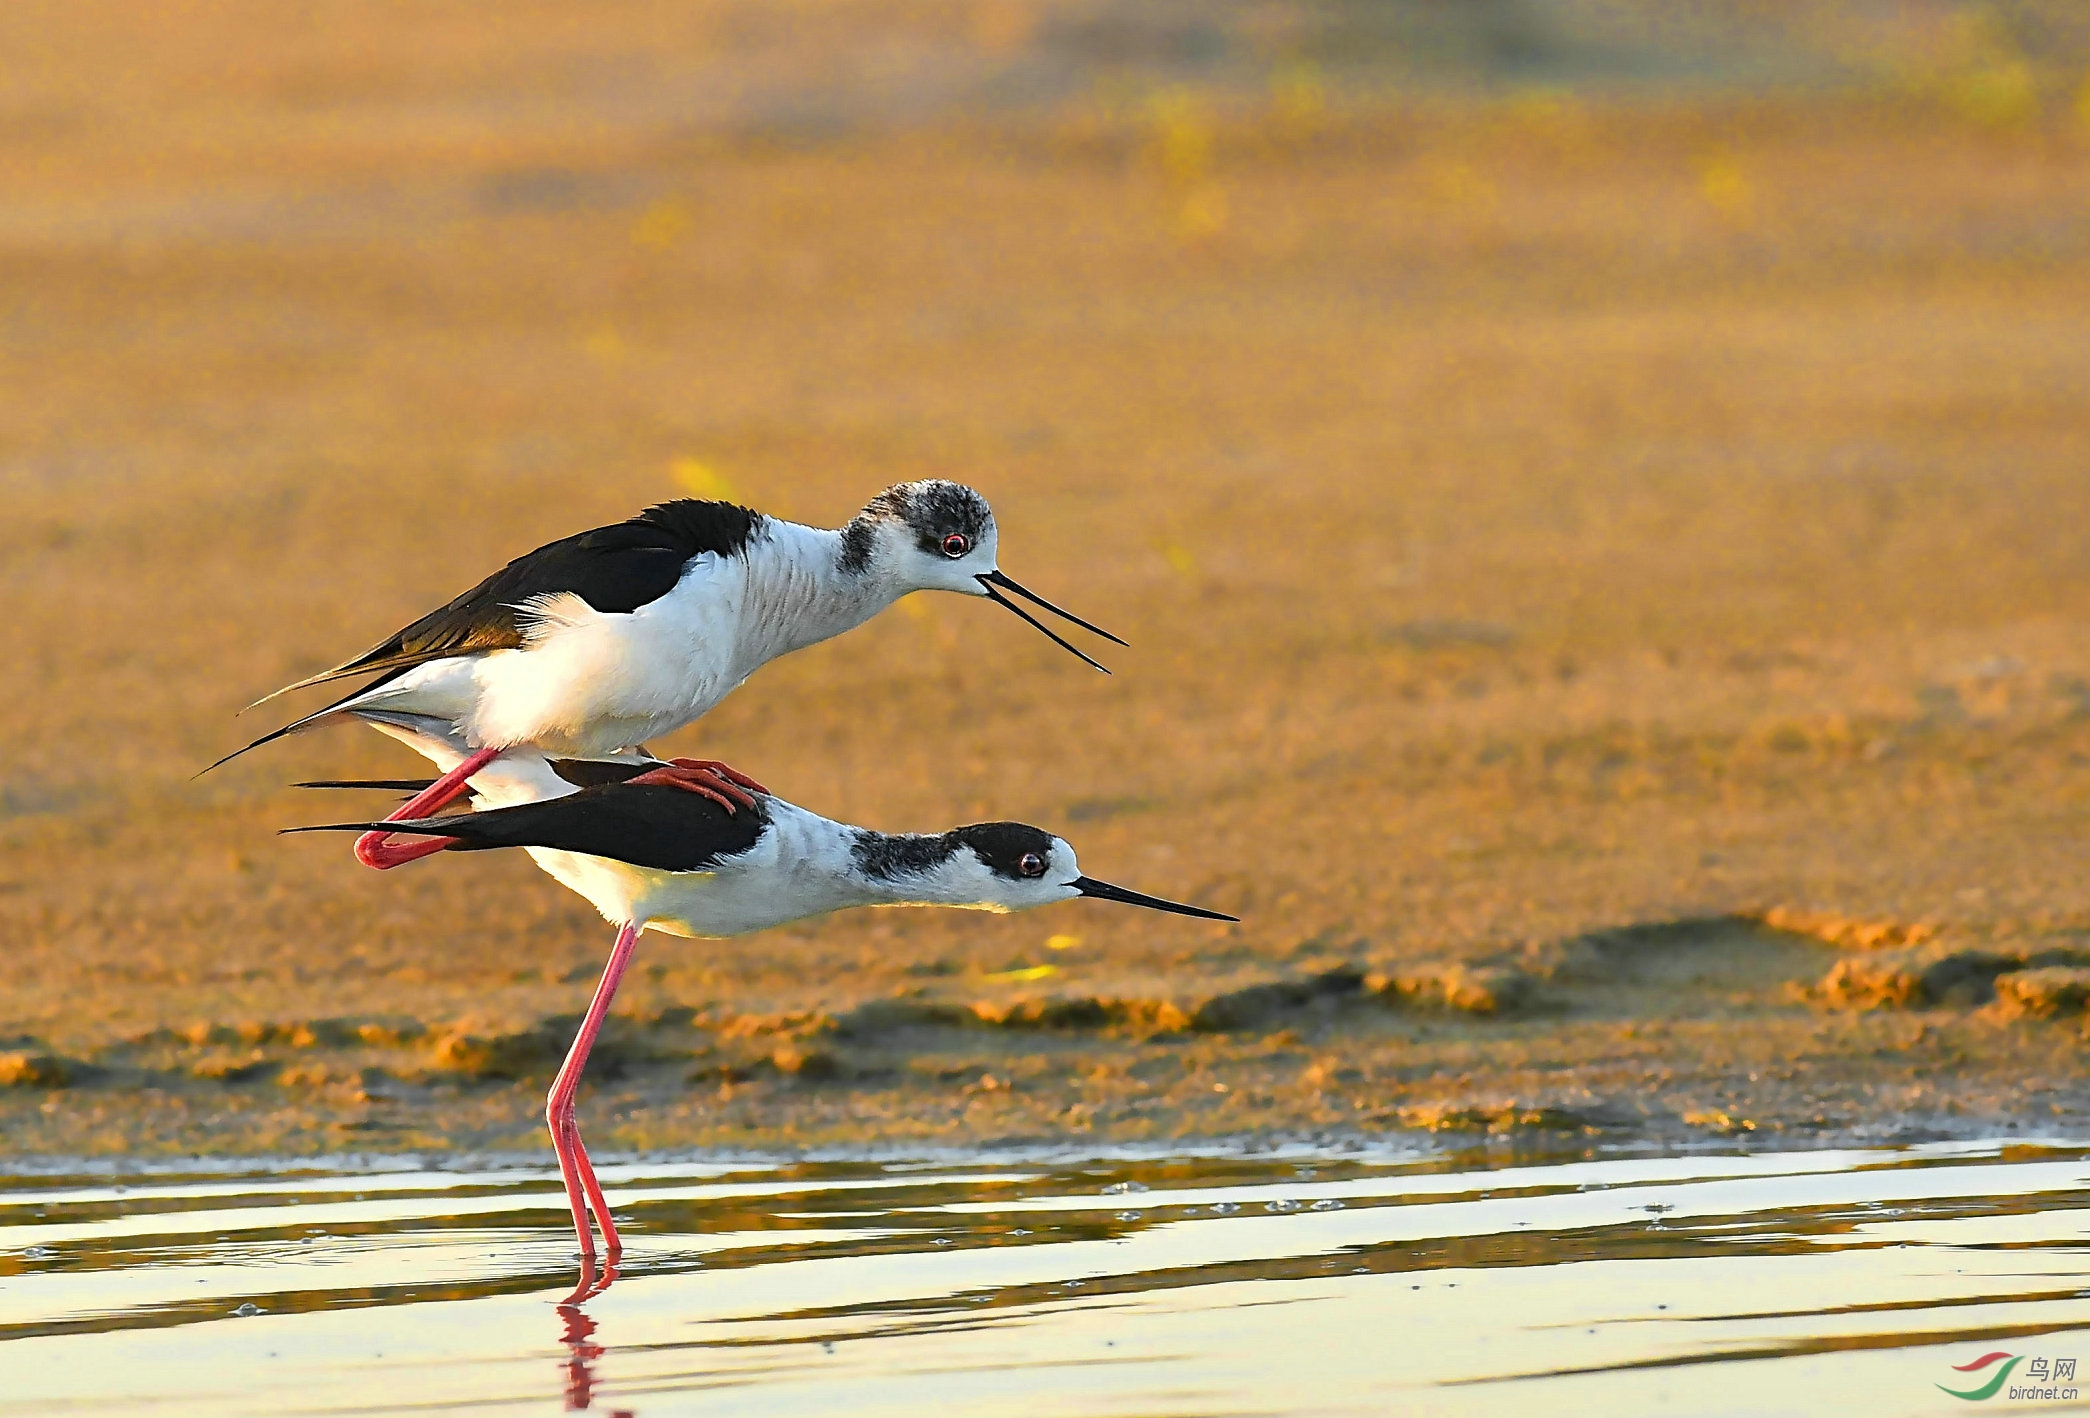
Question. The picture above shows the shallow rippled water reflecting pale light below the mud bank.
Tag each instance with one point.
(1276, 1283)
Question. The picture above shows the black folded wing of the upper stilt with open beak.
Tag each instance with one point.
(616, 570)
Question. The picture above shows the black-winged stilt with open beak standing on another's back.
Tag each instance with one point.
(611, 637)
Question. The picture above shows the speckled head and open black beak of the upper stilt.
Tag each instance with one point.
(942, 536)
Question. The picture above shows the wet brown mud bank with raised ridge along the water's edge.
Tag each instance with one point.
(1784, 1026)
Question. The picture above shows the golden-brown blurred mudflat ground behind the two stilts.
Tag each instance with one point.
(1562, 465)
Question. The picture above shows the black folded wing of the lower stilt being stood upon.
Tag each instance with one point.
(641, 823)
